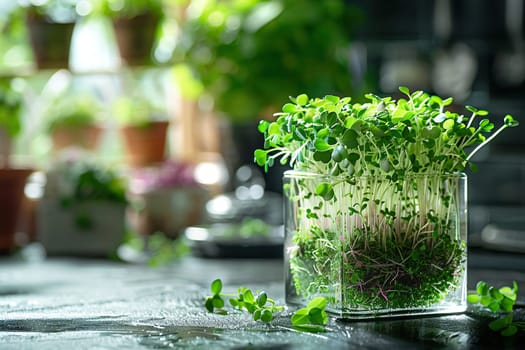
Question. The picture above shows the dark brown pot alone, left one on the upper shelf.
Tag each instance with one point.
(50, 41)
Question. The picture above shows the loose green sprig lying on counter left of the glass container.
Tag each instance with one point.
(259, 305)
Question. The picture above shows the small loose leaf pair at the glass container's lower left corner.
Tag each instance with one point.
(313, 317)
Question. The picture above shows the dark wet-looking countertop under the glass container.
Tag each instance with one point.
(63, 303)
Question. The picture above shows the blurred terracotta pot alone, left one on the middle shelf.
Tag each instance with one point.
(86, 137)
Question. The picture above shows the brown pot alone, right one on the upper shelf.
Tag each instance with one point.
(135, 38)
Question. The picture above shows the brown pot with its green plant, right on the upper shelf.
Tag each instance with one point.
(135, 23)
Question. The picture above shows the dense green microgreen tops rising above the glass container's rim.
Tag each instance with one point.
(413, 135)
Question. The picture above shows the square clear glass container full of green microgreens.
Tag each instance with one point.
(376, 201)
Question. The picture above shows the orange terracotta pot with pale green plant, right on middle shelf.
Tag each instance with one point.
(143, 127)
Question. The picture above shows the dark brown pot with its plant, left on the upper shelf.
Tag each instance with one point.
(50, 25)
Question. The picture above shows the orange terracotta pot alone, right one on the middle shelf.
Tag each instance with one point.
(145, 145)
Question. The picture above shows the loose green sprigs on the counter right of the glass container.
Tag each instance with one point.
(498, 300)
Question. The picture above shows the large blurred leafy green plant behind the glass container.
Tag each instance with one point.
(252, 54)
